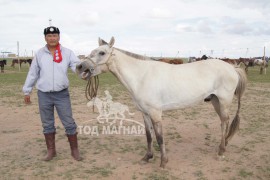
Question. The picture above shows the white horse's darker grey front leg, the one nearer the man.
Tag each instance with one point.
(148, 125)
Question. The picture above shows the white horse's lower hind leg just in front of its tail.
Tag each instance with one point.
(224, 117)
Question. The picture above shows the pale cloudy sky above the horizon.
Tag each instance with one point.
(159, 28)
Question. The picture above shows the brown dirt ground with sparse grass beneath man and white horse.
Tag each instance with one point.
(192, 136)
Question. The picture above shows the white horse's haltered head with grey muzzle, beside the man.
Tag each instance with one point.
(96, 63)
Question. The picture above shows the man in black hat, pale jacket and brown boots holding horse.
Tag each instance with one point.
(49, 72)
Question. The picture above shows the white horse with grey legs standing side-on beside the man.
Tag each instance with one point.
(156, 87)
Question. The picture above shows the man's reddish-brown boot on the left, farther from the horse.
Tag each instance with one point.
(50, 142)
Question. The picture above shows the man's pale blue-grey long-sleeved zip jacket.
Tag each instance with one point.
(48, 75)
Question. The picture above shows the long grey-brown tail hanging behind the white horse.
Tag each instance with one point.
(239, 91)
